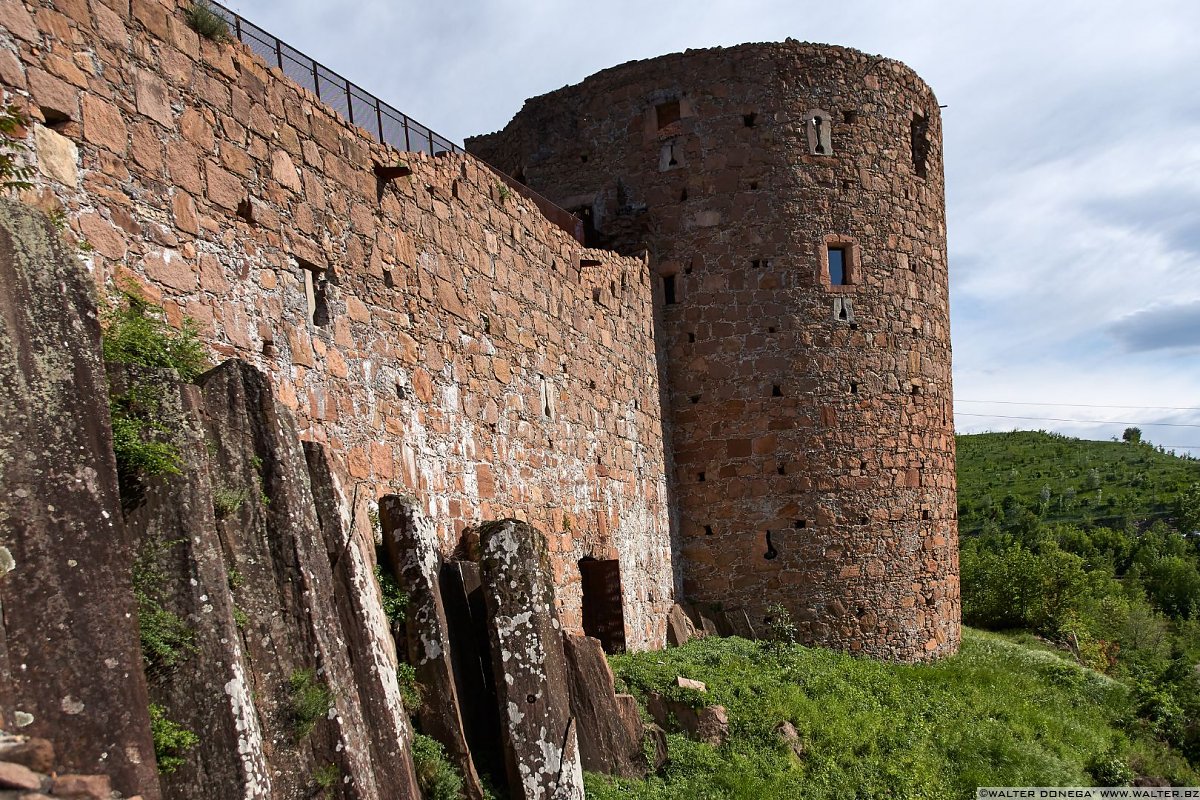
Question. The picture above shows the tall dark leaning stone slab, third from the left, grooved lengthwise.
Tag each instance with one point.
(277, 545)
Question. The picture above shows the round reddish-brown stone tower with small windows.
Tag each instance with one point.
(793, 201)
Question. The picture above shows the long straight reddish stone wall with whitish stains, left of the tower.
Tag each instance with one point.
(434, 332)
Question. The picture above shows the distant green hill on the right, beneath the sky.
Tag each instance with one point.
(1067, 480)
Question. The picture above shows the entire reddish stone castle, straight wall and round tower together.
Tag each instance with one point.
(781, 210)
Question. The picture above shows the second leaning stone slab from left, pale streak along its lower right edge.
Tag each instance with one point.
(176, 528)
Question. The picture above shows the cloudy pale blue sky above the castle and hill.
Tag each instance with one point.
(1072, 148)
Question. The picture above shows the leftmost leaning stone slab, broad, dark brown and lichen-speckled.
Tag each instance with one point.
(61, 521)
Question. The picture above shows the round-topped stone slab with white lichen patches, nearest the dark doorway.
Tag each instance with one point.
(529, 663)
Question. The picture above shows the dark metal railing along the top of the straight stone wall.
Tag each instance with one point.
(368, 112)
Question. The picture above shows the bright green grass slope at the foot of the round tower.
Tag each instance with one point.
(998, 714)
